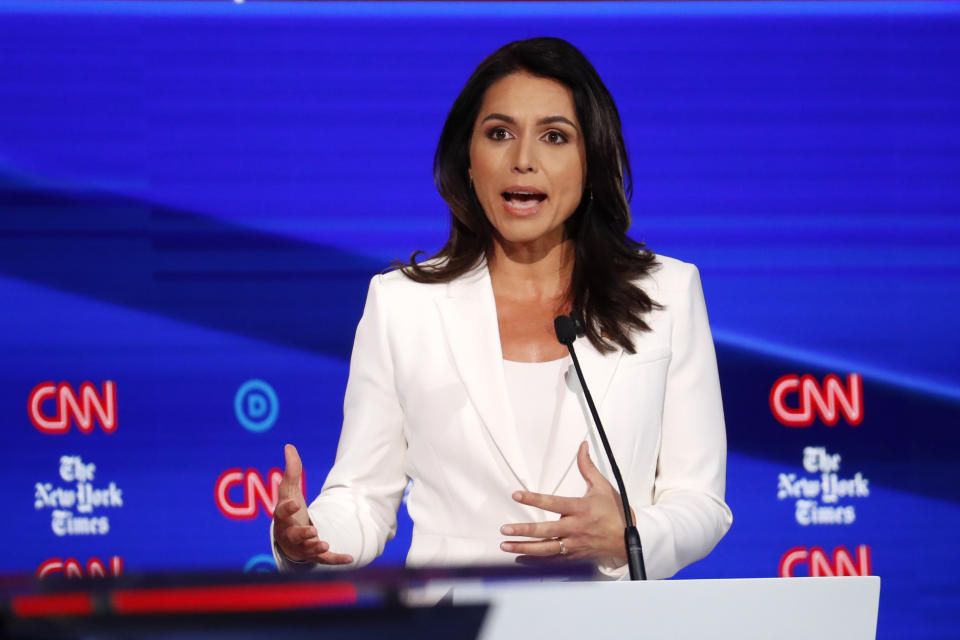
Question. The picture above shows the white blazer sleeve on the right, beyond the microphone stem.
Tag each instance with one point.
(688, 515)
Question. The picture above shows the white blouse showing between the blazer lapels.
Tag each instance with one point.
(536, 390)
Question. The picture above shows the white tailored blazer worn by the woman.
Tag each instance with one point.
(427, 400)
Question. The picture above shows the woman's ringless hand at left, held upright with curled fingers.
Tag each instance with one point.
(294, 533)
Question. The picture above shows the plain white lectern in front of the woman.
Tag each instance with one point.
(741, 609)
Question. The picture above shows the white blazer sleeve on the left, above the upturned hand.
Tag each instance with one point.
(356, 511)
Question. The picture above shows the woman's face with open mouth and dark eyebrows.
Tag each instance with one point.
(527, 159)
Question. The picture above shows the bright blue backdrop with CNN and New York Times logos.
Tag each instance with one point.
(193, 197)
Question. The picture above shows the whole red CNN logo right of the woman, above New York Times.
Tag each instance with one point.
(827, 401)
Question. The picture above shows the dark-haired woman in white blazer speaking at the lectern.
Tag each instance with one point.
(458, 382)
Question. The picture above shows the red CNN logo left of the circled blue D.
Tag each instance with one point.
(81, 407)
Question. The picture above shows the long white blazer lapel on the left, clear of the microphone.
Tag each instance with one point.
(469, 316)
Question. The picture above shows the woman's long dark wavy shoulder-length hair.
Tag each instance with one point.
(607, 262)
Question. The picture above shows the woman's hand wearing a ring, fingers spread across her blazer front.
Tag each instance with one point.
(590, 527)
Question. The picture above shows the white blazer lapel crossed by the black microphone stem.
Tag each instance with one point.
(575, 423)
